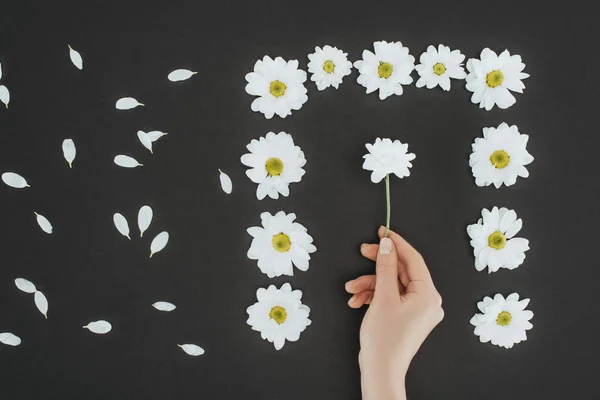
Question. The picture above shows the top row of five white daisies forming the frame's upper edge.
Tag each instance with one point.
(279, 84)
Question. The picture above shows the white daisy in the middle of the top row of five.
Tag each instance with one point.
(387, 69)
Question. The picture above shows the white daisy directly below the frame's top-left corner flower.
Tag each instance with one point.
(275, 162)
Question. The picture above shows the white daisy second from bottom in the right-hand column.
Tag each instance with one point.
(493, 241)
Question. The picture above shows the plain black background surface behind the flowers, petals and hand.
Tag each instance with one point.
(88, 271)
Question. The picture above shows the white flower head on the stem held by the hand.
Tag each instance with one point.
(387, 157)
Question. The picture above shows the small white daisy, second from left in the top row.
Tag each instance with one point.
(328, 67)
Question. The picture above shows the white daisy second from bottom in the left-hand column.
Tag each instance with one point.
(279, 244)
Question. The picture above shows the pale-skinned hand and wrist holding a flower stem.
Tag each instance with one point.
(404, 307)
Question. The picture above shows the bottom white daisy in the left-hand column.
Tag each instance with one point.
(279, 314)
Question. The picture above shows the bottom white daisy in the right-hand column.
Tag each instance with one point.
(504, 322)
